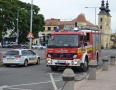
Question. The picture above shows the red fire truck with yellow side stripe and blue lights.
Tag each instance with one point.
(73, 48)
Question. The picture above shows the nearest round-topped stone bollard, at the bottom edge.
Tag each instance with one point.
(68, 76)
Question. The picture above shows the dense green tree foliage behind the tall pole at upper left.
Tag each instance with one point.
(13, 10)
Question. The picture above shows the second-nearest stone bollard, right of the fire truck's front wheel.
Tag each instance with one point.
(92, 65)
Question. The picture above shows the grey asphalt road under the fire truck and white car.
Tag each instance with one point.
(36, 77)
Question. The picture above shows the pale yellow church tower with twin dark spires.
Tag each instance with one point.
(104, 24)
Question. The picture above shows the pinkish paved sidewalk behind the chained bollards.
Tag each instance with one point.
(105, 80)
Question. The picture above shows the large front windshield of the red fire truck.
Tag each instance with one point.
(63, 41)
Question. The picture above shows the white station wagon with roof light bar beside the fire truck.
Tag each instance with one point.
(20, 57)
